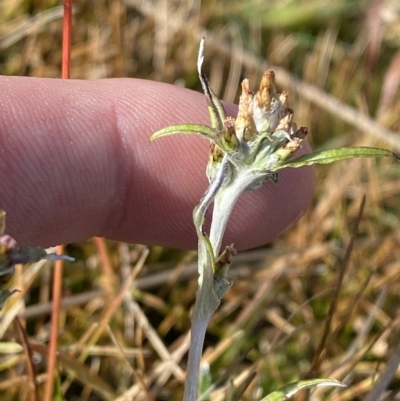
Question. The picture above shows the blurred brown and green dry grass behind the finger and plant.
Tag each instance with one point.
(340, 62)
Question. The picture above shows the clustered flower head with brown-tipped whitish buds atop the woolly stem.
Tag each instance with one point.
(261, 137)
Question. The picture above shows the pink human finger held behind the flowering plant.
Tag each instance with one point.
(76, 162)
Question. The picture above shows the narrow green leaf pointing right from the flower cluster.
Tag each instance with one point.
(333, 155)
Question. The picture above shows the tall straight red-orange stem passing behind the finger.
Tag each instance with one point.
(58, 266)
